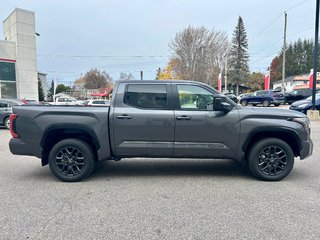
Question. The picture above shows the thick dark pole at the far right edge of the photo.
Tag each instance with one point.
(315, 58)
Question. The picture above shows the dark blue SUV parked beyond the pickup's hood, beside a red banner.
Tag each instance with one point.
(264, 97)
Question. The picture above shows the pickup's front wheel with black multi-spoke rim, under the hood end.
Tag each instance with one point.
(271, 159)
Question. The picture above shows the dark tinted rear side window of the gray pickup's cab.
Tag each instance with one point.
(147, 96)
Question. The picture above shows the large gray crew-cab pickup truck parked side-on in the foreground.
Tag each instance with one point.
(162, 119)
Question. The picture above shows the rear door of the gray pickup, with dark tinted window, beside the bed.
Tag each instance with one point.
(143, 120)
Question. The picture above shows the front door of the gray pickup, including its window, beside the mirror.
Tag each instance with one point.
(200, 131)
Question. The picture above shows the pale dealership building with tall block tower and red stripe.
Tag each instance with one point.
(18, 58)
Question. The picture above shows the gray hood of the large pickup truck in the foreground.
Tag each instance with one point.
(270, 113)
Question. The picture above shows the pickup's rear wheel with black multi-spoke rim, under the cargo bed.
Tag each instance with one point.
(71, 160)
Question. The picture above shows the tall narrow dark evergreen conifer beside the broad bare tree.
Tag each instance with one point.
(238, 62)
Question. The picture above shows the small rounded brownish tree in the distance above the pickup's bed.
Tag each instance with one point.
(95, 79)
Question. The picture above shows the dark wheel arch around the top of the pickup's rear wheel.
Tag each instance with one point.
(55, 134)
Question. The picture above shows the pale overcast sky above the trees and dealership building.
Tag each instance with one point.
(132, 36)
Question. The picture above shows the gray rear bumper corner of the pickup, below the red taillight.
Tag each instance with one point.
(18, 147)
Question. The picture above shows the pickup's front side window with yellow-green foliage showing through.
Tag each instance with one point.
(194, 98)
